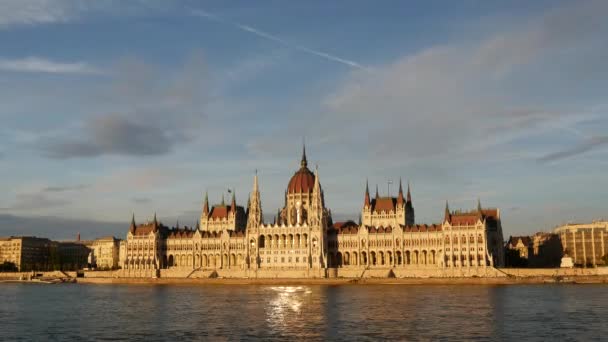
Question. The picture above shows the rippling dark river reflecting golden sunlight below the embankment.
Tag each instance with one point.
(31, 312)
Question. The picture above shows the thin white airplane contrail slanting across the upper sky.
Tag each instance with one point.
(283, 42)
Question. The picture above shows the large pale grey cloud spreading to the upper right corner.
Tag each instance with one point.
(442, 101)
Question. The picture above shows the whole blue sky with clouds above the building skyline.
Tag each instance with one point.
(114, 107)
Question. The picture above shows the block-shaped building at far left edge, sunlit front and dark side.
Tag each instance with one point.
(27, 252)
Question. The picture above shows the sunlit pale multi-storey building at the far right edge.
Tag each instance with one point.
(585, 243)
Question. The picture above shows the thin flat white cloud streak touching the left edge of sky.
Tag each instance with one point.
(42, 65)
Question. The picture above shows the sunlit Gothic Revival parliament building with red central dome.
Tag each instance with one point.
(304, 241)
